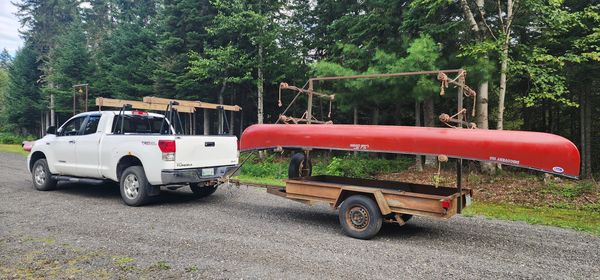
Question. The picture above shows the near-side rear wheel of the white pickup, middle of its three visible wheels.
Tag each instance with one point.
(134, 186)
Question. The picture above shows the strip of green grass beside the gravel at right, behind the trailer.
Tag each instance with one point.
(578, 219)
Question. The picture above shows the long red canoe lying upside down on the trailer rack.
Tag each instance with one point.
(535, 150)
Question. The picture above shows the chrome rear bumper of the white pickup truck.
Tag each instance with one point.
(194, 175)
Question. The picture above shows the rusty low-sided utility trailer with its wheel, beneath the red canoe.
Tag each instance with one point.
(365, 204)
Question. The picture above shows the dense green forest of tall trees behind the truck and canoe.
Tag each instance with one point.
(535, 64)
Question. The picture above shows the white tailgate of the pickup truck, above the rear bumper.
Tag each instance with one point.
(205, 151)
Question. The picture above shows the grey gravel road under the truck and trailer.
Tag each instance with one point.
(85, 231)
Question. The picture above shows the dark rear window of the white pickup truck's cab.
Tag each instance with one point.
(140, 125)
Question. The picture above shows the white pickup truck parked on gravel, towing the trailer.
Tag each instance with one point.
(139, 150)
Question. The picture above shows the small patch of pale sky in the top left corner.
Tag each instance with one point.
(9, 27)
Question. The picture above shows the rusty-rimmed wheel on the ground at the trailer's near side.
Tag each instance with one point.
(360, 217)
